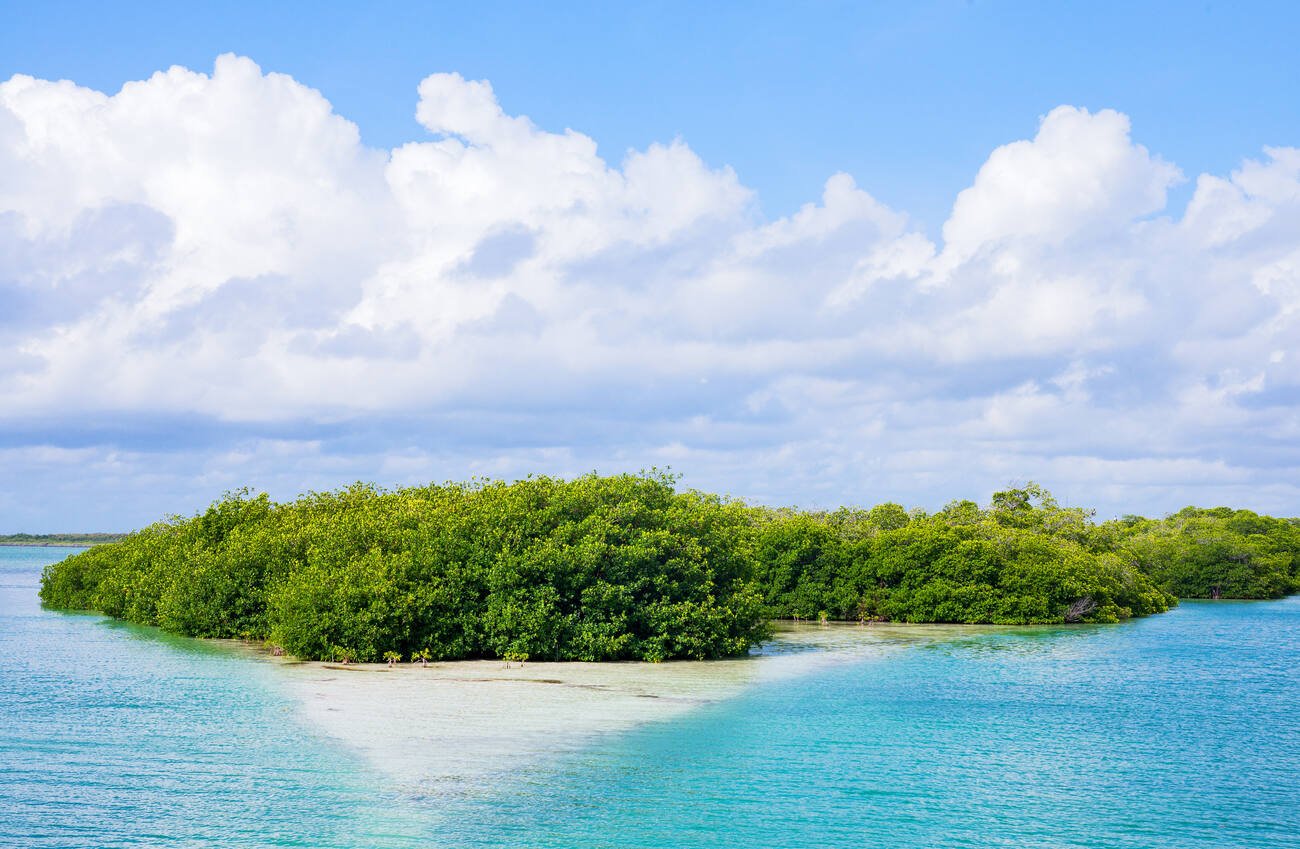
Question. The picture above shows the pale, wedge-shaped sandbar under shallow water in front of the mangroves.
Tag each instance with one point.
(444, 729)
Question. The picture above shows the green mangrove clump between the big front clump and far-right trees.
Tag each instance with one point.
(1022, 561)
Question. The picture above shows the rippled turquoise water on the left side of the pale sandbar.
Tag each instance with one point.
(120, 737)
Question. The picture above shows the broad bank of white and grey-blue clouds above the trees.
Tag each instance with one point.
(222, 252)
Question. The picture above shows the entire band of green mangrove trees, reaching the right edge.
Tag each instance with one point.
(629, 568)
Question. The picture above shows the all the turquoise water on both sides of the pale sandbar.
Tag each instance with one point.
(1178, 731)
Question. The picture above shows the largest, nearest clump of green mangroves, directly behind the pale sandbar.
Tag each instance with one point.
(597, 569)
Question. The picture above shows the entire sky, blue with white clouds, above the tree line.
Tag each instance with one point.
(818, 254)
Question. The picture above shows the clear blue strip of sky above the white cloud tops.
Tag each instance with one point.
(909, 98)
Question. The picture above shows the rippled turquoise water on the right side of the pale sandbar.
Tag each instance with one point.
(1176, 731)
